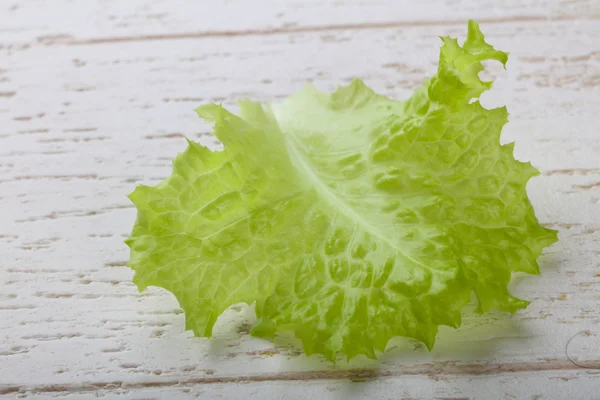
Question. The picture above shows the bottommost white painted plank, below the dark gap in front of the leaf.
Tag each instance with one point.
(546, 386)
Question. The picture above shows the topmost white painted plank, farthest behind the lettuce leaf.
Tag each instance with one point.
(35, 21)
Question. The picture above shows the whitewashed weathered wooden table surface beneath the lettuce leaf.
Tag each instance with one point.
(96, 97)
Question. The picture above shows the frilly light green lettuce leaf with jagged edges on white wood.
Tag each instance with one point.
(347, 218)
